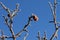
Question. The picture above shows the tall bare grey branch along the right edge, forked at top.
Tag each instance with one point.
(54, 19)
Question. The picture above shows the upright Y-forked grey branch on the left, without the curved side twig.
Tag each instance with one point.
(10, 16)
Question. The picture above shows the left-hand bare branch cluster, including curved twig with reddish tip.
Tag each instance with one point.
(9, 22)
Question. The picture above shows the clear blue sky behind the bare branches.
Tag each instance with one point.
(40, 8)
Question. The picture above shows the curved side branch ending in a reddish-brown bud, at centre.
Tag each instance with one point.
(34, 17)
